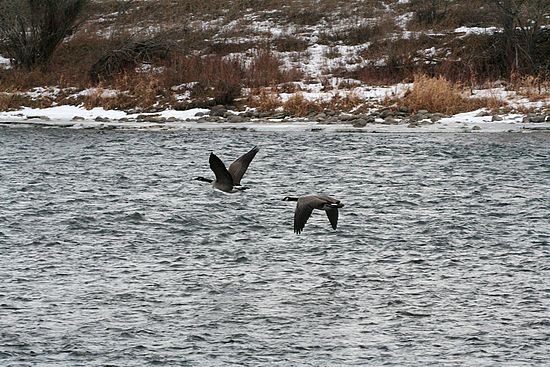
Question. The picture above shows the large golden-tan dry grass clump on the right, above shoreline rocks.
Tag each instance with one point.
(437, 94)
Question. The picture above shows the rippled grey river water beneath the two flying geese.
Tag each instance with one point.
(111, 254)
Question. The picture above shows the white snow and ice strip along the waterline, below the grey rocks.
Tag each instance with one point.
(98, 118)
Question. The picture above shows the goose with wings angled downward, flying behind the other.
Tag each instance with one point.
(306, 204)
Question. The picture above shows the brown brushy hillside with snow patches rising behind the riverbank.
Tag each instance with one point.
(308, 58)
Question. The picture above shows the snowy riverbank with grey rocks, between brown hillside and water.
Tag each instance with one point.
(221, 118)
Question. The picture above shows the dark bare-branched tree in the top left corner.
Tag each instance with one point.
(31, 30)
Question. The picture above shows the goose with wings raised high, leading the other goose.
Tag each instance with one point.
(229, 179)
